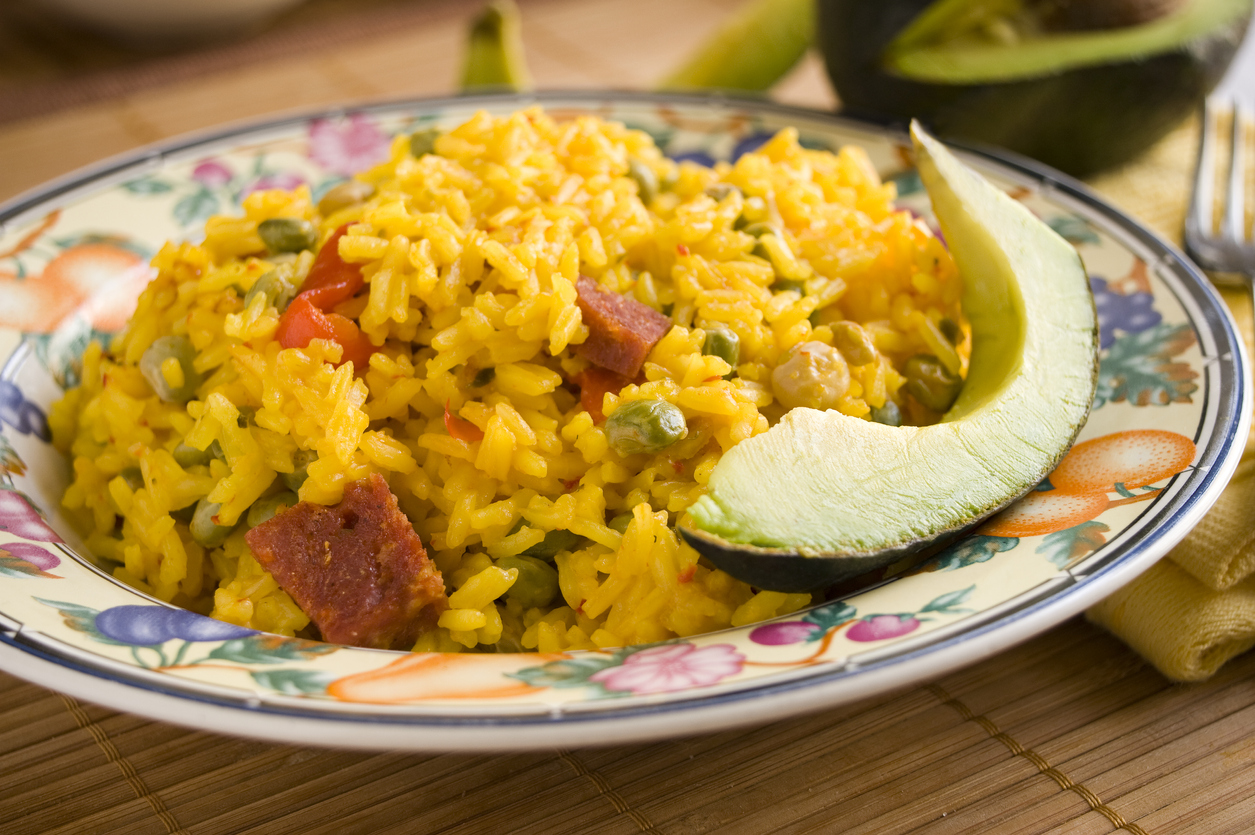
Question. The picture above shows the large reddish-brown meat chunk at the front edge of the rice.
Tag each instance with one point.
(357, 569)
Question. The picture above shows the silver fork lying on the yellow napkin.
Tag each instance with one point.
(1228, 253)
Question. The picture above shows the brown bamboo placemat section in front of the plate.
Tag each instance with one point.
(1069, 734)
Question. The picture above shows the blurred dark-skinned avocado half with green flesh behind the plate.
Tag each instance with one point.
(1080, 101)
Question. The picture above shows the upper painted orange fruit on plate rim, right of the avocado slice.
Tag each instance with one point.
(1134, 459)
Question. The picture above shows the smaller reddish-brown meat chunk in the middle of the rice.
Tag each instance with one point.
(622, 331)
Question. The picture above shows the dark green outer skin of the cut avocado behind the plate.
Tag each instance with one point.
(1081, 121)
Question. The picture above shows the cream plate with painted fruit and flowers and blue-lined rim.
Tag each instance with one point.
(1174, 401)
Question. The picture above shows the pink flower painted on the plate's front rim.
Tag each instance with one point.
(673, 667)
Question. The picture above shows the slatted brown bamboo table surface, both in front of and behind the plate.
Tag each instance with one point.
(1070, 733)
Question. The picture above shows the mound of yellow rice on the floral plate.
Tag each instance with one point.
(471, 256)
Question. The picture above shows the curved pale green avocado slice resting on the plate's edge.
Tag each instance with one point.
(823, 497)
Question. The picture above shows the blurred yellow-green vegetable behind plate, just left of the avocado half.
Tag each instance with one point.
(752, 51)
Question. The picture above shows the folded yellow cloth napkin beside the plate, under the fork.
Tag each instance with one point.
(1195, 610)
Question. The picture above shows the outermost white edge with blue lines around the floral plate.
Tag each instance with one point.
(696, 714)
